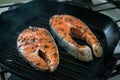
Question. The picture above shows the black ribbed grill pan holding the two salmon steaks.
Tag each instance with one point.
(37, 13)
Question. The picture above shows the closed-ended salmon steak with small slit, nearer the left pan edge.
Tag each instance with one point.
(38, 47)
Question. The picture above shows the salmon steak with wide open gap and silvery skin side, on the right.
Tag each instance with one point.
(64, 27)
